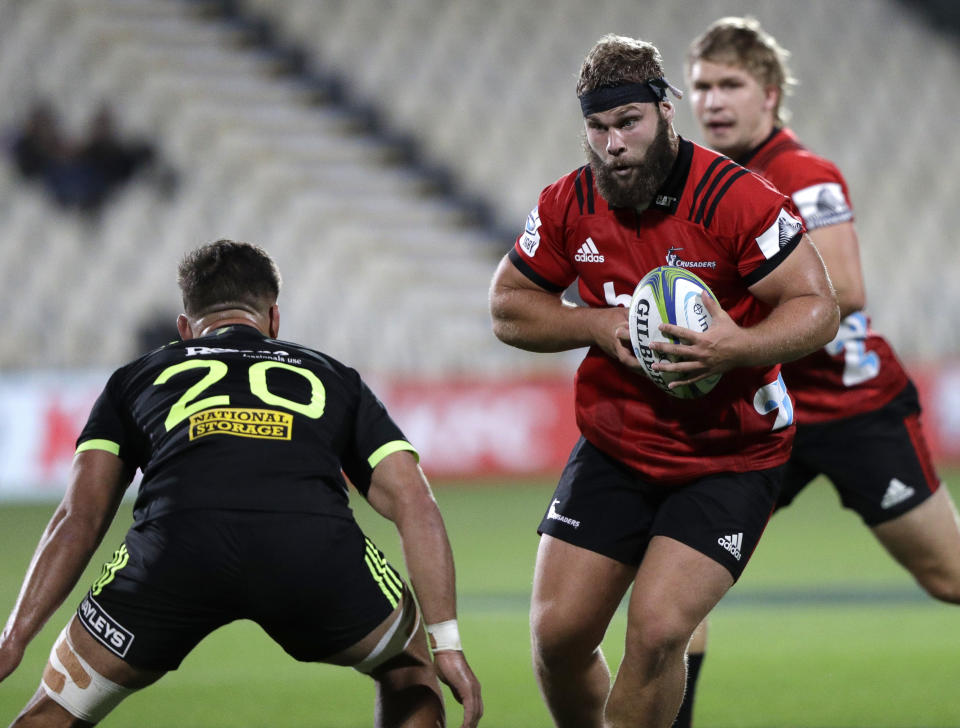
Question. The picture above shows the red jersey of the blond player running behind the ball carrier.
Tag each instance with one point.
(858, 371)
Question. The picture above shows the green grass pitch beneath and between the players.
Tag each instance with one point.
(823, 630)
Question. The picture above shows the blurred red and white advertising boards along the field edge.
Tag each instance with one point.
(465, 429)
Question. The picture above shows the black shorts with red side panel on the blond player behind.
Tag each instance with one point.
(878, 461)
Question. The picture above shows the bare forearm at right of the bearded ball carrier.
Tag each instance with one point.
(795, 328)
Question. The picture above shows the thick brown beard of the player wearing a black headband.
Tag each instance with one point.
(648, 174)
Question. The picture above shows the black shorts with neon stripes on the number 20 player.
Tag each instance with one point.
(314, 583)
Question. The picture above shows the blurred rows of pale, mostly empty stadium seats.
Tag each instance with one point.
(380, 268)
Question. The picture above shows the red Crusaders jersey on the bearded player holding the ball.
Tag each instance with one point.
(731, 228)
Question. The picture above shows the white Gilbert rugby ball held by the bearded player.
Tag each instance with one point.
(668, 295)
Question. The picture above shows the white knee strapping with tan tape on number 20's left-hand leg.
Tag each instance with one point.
(78, 688)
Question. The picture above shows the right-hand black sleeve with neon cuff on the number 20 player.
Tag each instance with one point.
(375, 435)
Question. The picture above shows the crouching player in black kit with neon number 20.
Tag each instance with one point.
(242, 513)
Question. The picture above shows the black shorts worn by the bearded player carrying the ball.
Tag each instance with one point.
(604, 506)
